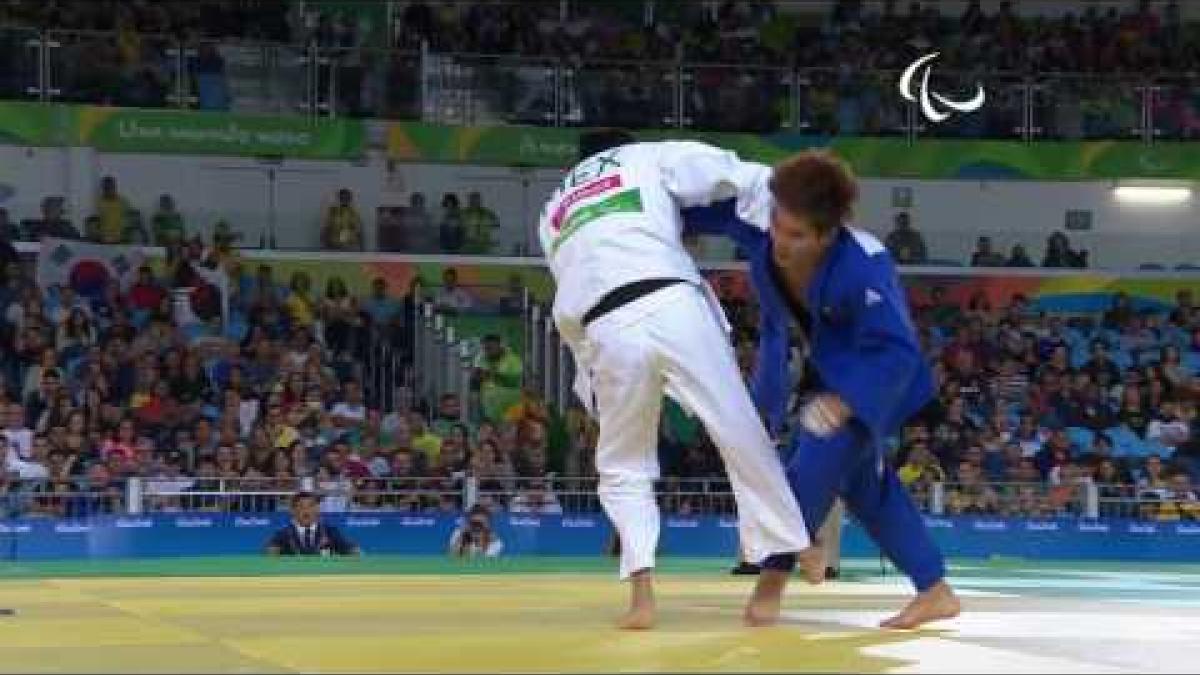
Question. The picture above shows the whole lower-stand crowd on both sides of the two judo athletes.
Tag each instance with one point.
(1031, 407)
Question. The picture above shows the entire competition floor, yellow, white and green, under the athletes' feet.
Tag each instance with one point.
(427, 614)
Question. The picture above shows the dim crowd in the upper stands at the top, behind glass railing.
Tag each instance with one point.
(855, 50)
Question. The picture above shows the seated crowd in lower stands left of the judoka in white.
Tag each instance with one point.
(99, 389)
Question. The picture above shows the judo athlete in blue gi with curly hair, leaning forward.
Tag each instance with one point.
(866, 375)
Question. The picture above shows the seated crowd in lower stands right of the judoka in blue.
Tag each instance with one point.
(1033, 407)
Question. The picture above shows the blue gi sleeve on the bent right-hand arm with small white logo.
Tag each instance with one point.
(879, 371)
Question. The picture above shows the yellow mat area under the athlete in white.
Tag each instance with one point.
(401, 624)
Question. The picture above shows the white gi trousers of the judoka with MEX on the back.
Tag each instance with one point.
(673, 343)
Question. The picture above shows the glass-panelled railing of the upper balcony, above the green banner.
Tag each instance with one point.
(490, 89)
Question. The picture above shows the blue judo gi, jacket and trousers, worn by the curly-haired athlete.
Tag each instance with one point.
(863, 349)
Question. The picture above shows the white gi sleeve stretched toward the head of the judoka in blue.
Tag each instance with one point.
(698, 175)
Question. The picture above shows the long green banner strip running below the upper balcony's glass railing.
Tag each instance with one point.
(187, 133)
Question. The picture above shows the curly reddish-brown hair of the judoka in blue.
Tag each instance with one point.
(817, 186)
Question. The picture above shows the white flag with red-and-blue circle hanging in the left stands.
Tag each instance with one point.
(87, 267)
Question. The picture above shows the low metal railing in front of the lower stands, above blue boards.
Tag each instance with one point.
(76, 500)
